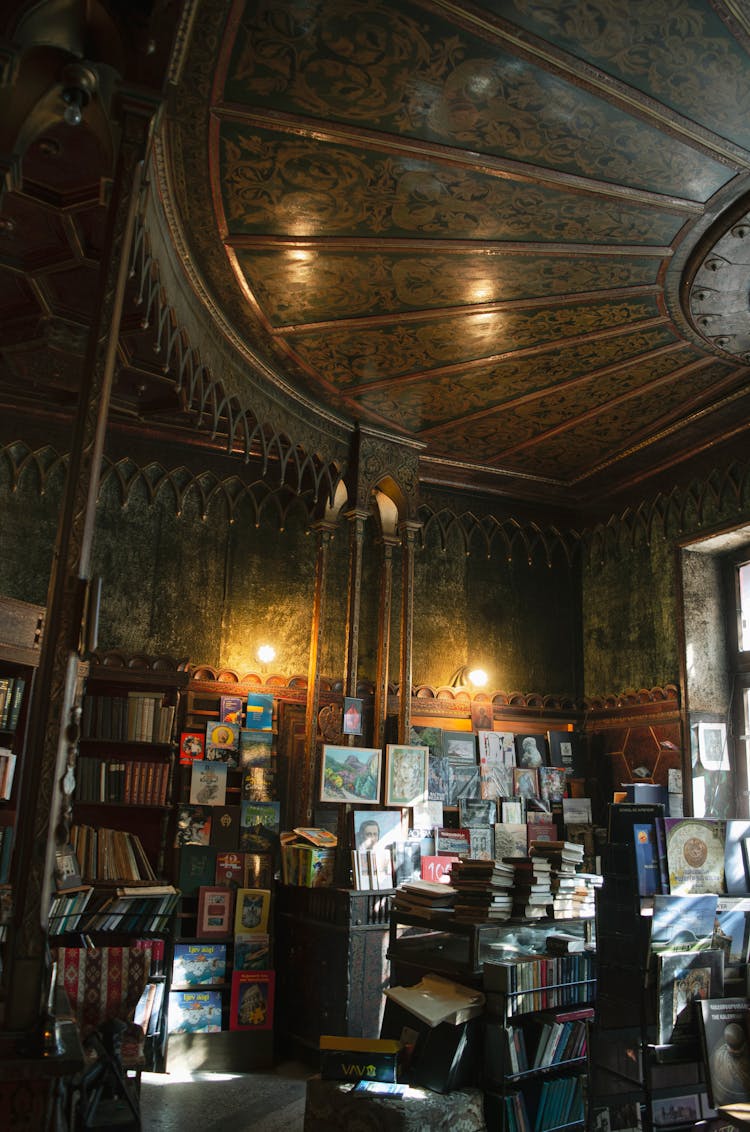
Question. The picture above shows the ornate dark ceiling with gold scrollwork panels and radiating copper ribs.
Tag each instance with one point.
(518, 234)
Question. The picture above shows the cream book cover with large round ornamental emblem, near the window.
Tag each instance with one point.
(695, 854)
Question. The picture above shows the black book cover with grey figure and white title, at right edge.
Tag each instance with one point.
(727, 1052)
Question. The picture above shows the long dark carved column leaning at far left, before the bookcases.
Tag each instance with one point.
(45, 775)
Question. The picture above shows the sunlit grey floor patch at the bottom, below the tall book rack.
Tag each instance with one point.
(262, 1102)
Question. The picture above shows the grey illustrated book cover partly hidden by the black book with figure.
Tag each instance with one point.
(684, 980)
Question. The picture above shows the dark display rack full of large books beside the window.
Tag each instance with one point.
(674, 933)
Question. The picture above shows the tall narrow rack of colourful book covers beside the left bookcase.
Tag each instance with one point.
(227, 846)
